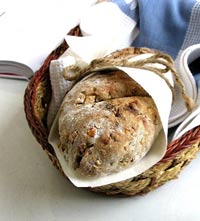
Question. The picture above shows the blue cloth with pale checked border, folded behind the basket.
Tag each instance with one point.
(171, 27)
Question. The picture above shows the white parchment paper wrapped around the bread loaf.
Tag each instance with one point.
(153, 84)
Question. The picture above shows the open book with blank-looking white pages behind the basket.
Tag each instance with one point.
(30, 30)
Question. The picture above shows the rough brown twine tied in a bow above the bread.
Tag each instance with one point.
(122, 58)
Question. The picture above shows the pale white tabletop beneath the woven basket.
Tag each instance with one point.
(32, 189)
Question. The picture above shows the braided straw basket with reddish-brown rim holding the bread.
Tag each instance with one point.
(179, 152)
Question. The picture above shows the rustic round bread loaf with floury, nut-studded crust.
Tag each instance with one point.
(107, 122)
